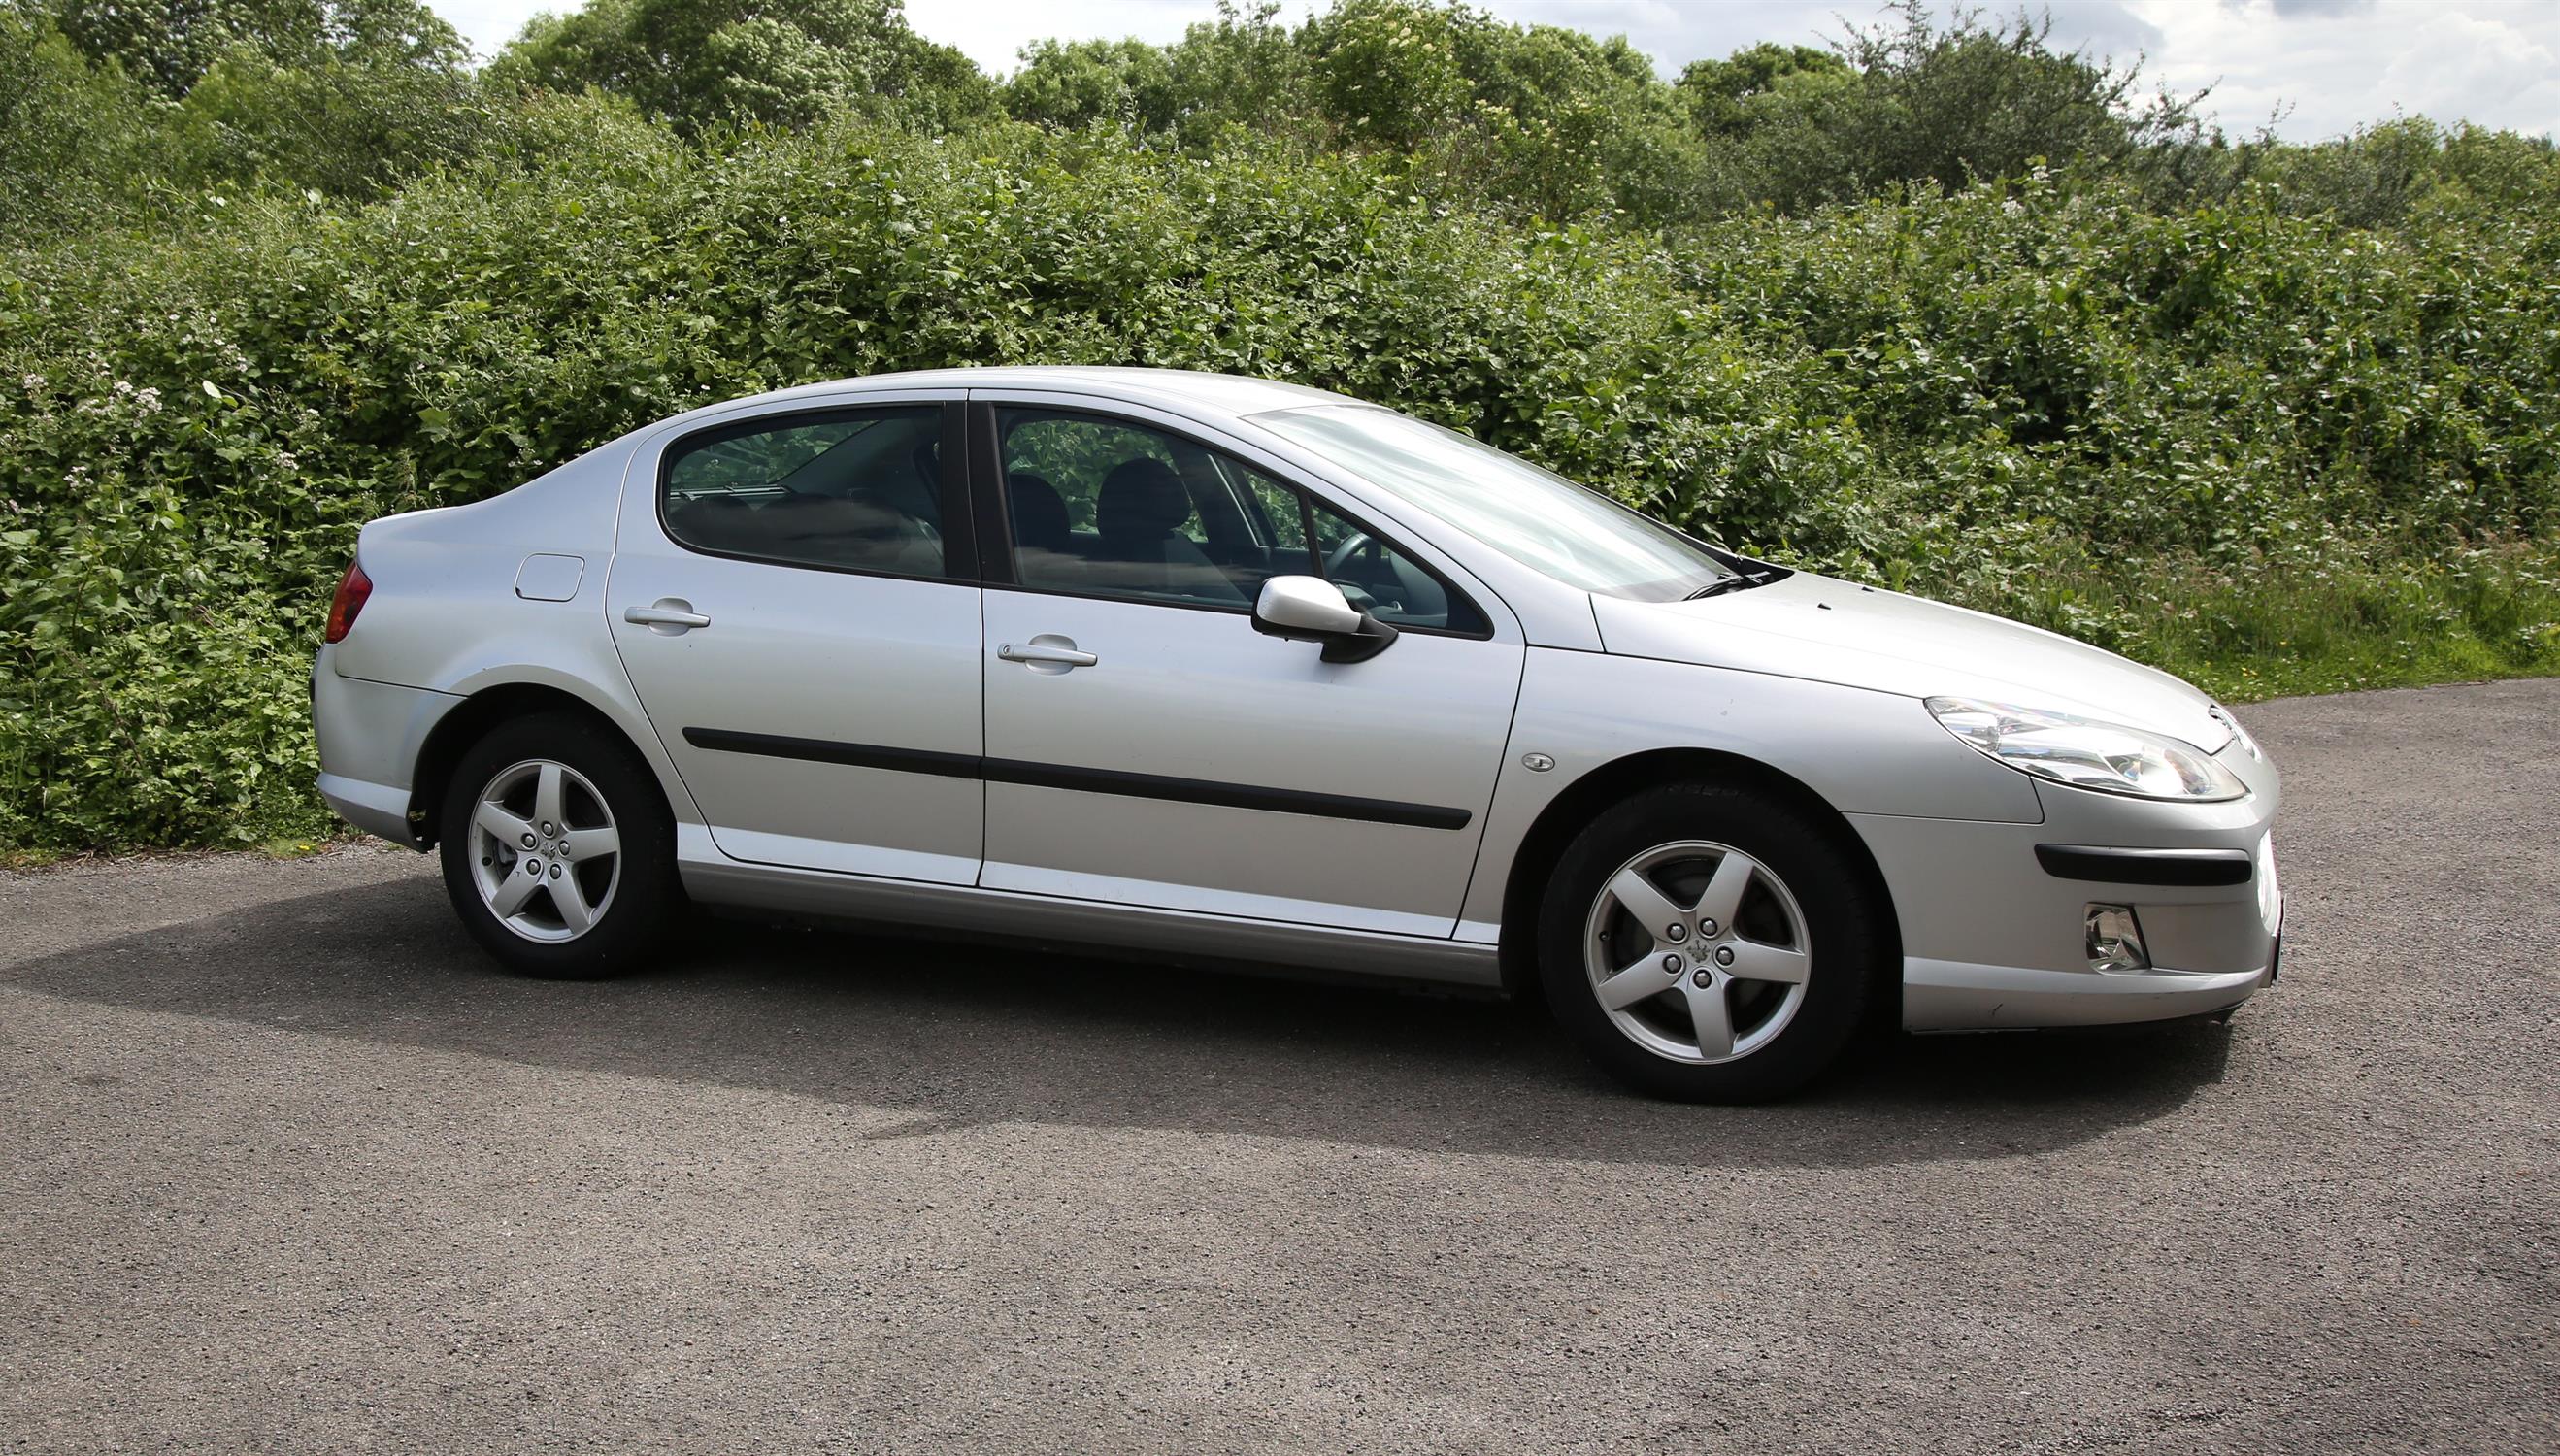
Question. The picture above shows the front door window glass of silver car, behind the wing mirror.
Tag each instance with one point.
(1107, 508)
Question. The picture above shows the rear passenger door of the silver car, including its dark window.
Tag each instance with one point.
(795, 597)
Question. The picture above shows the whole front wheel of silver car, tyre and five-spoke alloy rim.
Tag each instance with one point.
(1709, 943)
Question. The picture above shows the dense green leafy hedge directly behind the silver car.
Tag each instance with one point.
(2241, 441)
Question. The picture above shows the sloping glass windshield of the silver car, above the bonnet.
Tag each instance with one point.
(1522, 510)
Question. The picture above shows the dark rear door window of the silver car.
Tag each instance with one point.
(854, 490)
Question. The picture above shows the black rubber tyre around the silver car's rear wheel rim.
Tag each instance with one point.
(644, 894)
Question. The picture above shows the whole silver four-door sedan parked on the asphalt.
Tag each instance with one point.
(1243, 672)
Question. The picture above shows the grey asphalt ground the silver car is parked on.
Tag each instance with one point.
(285, 1166)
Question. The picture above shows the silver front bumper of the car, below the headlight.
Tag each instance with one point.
(1996, 935)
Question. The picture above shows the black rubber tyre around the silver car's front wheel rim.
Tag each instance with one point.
(1839, 912)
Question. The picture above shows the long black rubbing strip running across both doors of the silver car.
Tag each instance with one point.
(1087, 779)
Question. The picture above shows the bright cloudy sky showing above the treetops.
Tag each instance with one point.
(2316, 68)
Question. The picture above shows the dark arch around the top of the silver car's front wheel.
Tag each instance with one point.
(1614, 782)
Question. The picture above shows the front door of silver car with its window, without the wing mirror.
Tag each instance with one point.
(1146, 746)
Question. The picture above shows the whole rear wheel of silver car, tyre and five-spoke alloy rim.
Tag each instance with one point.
(557, 848)
